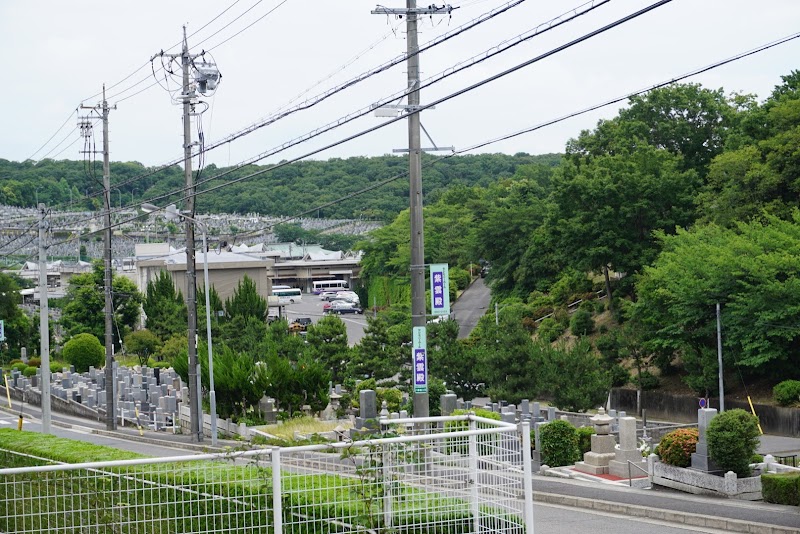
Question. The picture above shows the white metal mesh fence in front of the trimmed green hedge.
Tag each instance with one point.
(446, 475)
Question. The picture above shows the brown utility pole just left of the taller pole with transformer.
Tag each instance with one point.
(103, 108)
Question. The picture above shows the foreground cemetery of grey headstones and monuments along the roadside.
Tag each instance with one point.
(156, 399)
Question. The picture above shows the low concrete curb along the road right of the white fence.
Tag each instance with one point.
(670, 516)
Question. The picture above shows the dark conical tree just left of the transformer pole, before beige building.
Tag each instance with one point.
(165, 308)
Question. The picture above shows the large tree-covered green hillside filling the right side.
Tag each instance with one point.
(688, 198)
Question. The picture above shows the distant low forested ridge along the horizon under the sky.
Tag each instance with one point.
(285, 191)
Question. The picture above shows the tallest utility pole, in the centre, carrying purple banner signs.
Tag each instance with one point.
(418, 308)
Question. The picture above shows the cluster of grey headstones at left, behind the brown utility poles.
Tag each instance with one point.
(150, 395)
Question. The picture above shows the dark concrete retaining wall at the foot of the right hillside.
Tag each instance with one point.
(683, 408)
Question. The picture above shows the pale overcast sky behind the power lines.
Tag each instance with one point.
(58, 54)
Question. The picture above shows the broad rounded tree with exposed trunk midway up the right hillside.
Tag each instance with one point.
(606, 211)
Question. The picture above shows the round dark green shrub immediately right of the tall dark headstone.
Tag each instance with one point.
(733, 440)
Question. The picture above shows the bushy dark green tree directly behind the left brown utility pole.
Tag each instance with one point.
(85, 304)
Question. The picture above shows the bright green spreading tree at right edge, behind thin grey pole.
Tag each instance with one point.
(752, 272)
